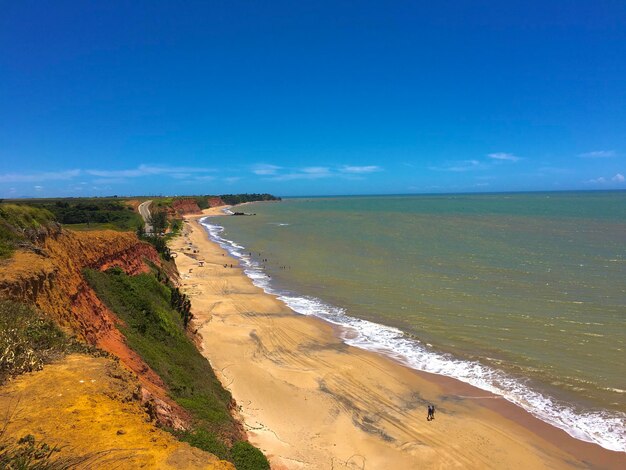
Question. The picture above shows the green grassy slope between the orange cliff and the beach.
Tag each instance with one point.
(156, 332)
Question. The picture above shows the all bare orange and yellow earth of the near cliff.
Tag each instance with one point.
(110, 406)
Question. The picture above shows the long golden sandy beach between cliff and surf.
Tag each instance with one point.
(309, 401)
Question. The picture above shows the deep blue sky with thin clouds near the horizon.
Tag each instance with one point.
(306, 98)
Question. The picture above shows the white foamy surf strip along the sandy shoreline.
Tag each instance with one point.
(603, 427)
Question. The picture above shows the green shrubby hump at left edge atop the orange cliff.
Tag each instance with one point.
(21, 224)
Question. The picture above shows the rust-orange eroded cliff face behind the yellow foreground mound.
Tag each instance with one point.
(49, 276)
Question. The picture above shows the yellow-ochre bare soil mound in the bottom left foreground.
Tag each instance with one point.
(88, 405)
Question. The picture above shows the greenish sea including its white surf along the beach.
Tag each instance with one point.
(520, 294)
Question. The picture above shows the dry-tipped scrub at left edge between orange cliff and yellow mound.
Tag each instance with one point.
(28, 340)
